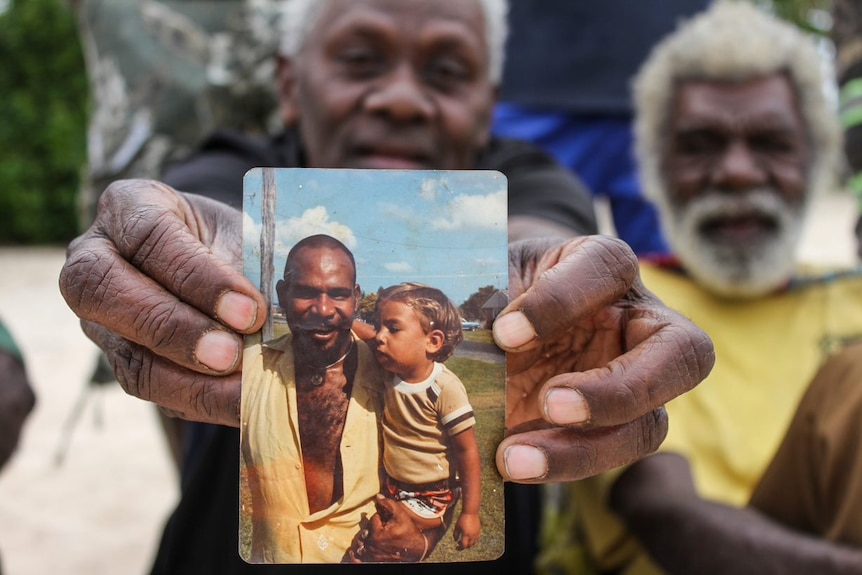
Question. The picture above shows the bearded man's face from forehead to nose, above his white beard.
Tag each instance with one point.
(737, 136)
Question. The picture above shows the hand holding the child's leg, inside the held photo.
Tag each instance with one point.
(391, 536)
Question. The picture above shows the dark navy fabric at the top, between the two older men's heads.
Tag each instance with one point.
(579, 55)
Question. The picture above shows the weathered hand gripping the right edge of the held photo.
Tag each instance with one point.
(593, 357)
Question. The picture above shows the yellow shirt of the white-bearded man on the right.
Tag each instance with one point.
(729, 427)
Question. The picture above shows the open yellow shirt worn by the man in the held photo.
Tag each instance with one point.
(283, 529)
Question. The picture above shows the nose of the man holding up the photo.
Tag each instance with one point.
(401, 95)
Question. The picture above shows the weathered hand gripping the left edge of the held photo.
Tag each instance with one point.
(157, 282)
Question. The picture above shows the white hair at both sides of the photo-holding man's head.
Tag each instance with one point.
(299, 17)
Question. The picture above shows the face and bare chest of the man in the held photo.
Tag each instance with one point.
(318, 298)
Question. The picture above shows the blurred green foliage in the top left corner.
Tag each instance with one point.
(43, 116)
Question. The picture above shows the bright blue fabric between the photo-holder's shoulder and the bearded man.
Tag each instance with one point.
(599, 150)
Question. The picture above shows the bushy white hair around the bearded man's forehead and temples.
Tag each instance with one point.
(733, 41)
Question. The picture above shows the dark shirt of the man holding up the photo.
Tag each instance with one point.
(202, 534)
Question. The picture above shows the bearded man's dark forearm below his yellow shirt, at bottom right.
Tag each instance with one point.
(686, 533)
